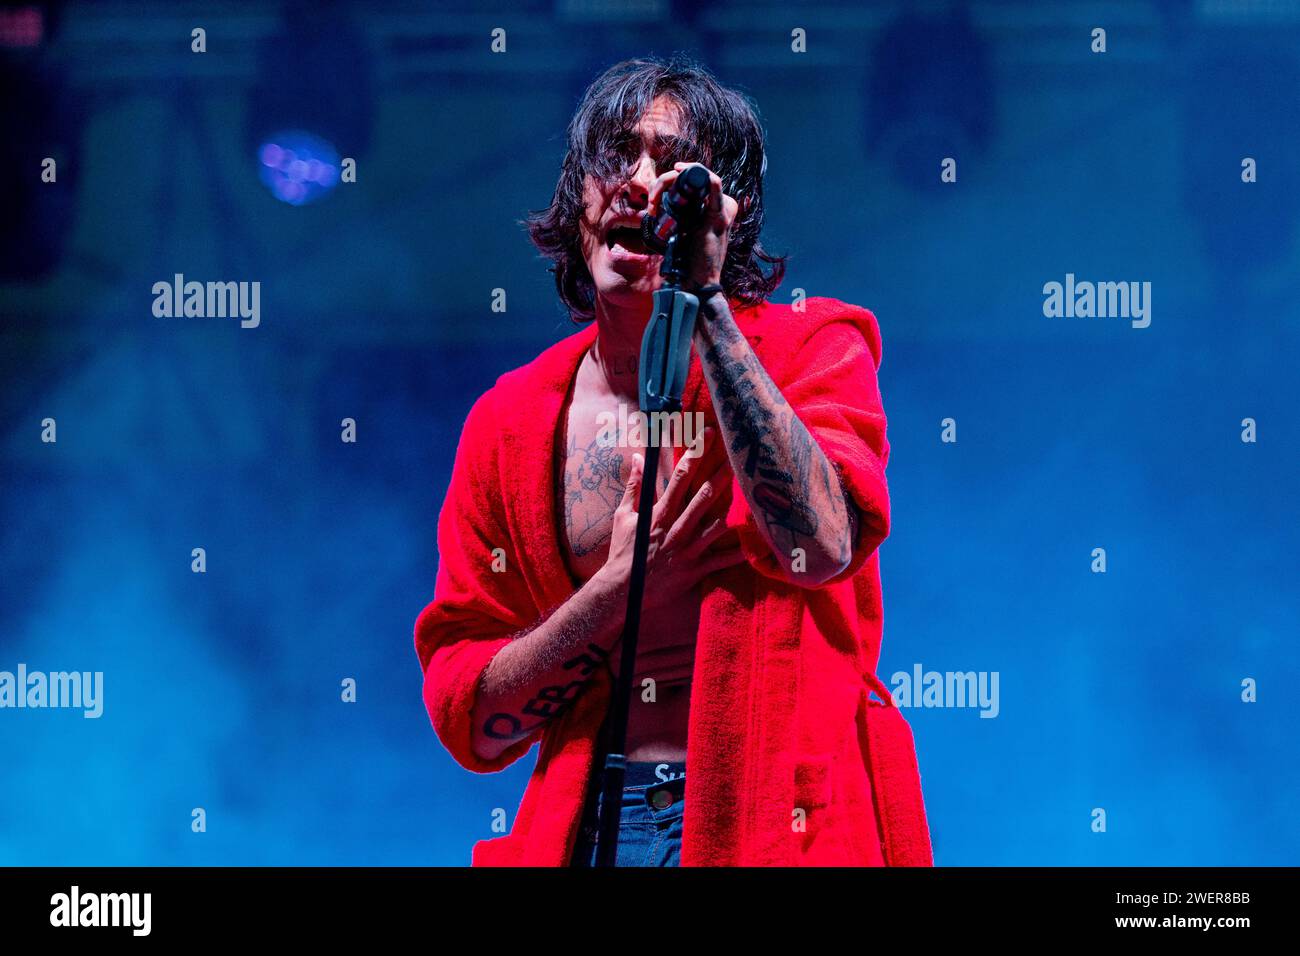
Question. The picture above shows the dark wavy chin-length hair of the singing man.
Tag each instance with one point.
(721, 129)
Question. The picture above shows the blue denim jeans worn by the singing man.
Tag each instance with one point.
(649, 817)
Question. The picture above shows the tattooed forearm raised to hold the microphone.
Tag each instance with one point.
(786, 477)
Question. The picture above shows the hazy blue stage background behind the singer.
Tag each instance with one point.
(1119, 691)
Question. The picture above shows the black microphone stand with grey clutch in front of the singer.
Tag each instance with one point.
(665, 362)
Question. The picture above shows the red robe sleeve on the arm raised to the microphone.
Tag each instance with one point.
(831, 384)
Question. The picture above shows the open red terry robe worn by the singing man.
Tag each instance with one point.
(791, 759)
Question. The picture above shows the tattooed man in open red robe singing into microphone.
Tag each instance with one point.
(753, 736)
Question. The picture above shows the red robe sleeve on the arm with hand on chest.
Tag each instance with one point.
(475, 611)
